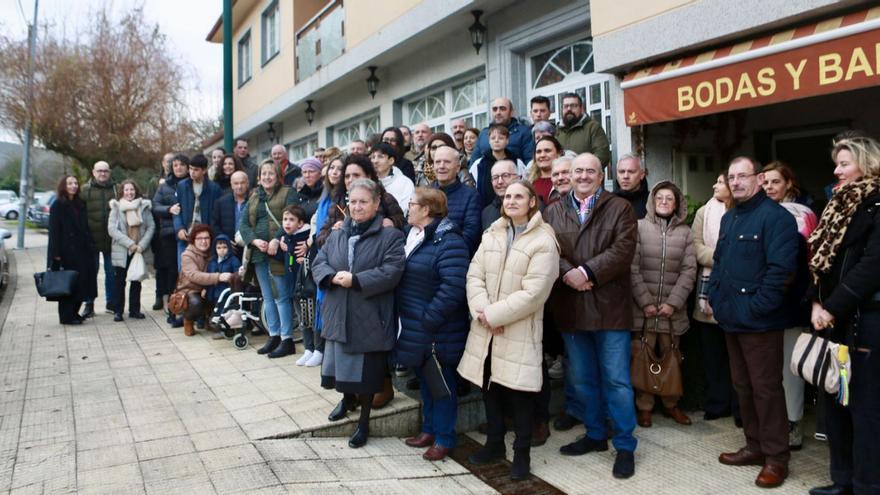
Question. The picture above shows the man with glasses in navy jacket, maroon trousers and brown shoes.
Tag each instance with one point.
(755, 262)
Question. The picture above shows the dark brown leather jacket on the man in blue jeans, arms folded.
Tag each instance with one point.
(604, 246)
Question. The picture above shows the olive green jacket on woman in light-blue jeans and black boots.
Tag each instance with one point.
(256, 223)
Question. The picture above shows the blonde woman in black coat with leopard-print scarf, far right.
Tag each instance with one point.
(845, 295)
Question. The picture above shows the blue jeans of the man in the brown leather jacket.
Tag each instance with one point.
(600, 370)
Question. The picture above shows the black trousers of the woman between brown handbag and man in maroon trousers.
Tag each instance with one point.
(721, 399)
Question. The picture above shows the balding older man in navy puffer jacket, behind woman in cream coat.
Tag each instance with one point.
(462, 201)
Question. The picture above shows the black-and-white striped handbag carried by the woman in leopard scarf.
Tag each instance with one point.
(819, 362)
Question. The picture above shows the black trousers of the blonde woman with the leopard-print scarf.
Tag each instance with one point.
(853, 431)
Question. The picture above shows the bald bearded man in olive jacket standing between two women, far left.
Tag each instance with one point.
(97, 195)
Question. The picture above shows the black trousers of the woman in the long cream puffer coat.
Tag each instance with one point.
(501, 401)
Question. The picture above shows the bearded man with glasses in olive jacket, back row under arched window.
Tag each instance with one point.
(579, 133)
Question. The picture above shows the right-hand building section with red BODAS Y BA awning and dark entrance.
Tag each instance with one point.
(703, 81)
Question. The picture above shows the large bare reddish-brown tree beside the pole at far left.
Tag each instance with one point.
(114, 93)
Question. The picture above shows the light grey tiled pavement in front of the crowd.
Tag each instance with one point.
(139, 408)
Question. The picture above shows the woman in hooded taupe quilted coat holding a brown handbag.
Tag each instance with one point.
(664, 269)
